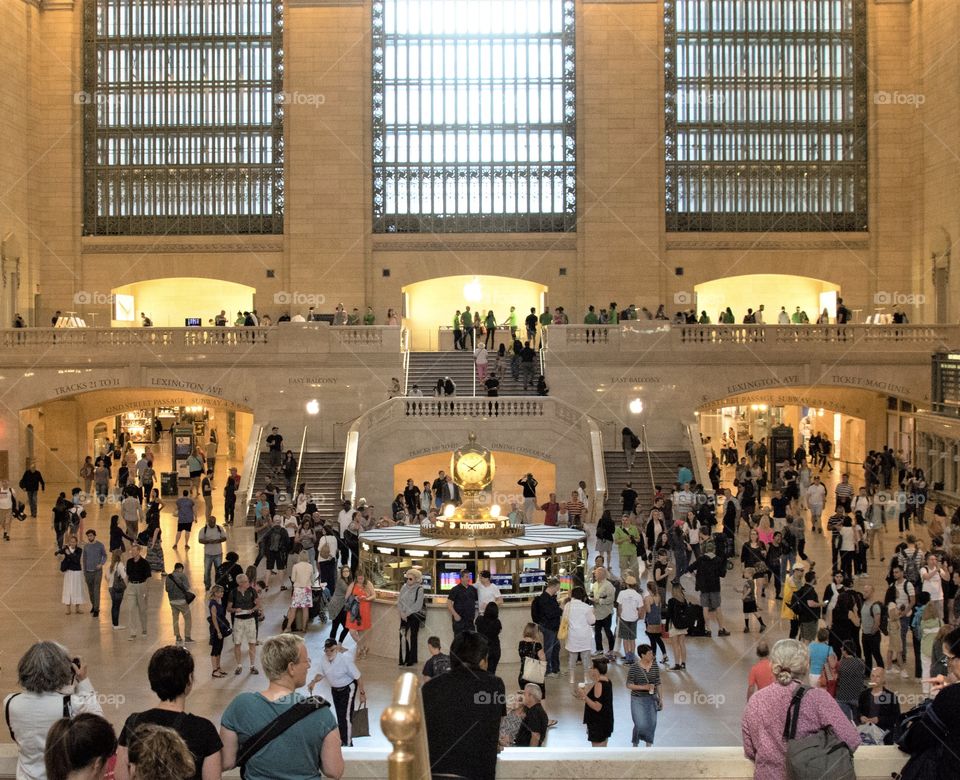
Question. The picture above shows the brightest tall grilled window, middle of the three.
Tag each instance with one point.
(474, 131)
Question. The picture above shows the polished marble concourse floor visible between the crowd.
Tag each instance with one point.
(702, 706)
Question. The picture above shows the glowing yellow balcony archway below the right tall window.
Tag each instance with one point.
(773, 291)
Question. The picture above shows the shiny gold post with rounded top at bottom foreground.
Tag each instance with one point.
(403, 724)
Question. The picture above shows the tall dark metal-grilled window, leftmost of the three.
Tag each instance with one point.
(182, 117)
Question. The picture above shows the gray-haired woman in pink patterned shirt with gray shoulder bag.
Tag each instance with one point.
(766, 712)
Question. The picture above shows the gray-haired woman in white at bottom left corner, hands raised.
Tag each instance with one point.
(54, 687)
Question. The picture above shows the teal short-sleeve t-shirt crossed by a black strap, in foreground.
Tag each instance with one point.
(297, 750)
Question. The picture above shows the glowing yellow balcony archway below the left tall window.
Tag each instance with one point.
(174, 301)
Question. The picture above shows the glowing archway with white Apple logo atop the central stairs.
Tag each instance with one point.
(430, 305)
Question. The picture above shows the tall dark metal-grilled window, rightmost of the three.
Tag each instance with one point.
(765, 115)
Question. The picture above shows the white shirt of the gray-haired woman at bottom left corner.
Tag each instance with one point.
(32, 715)
